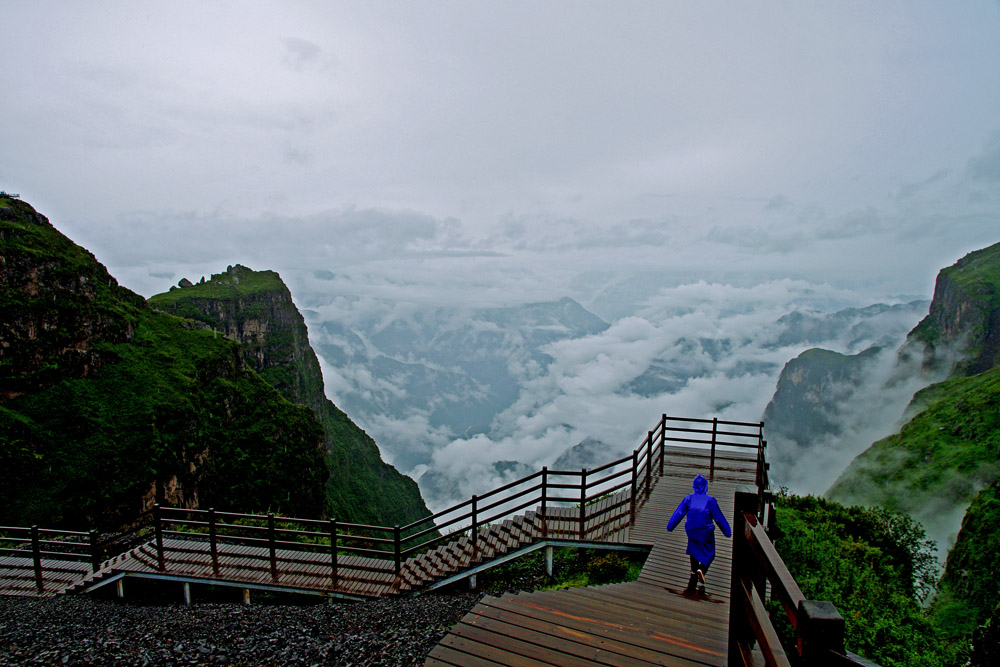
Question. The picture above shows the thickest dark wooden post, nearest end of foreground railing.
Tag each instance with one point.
(741, 636)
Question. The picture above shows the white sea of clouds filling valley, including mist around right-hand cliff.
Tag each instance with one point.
(699, 349)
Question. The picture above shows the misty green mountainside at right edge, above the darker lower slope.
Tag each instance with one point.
(943, 454)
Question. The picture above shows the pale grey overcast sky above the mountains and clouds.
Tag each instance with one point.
(851, 143)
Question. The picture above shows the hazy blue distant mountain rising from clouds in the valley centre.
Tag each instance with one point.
(455, 368)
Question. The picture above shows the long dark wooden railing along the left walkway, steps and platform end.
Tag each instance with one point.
(675, 446)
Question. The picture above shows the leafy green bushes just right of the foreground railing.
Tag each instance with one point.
(876, 566)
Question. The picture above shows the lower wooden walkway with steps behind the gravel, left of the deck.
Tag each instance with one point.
(189, 558)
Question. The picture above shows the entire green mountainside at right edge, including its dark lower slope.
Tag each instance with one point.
(945, 461)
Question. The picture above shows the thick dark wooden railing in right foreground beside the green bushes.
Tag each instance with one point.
(818, 626)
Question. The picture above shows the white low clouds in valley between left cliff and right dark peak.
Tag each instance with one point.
(701, 349)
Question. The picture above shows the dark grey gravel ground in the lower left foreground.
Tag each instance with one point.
(79, 630)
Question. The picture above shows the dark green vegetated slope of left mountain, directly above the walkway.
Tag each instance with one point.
(176, 408)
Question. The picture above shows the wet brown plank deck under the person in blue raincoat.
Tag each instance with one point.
(656, 620)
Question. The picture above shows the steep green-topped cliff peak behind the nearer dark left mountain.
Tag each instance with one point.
(256, 309)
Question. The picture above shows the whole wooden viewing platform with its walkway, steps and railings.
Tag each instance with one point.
(659, 619)
